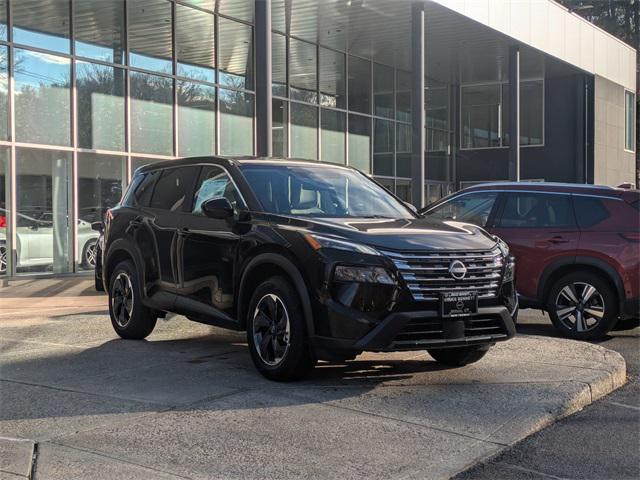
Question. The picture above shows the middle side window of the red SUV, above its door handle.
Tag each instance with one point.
(537, 210)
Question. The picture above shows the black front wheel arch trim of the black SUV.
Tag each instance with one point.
(263, 266)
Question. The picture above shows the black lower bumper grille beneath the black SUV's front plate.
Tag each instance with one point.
(429, 331)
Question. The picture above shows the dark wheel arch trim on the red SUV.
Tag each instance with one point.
(590, 264)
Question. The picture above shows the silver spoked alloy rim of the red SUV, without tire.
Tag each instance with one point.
(579, 306)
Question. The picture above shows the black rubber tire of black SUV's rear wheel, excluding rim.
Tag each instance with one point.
(142, 320)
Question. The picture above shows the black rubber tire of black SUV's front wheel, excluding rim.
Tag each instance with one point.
(298, 359)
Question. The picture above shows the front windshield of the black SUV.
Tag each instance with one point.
(318, 191)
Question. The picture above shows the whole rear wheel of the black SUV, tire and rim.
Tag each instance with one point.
(129, 317)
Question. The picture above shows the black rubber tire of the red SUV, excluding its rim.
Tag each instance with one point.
(605, 325)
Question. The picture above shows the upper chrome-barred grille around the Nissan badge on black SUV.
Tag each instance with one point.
(427, 274)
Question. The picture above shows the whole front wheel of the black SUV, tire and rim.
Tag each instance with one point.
(277, 332)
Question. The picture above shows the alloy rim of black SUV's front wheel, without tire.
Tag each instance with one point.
(271, 329)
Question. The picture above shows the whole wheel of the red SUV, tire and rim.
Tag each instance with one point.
(582, 306)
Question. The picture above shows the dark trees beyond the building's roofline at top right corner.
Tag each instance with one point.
(621, 18)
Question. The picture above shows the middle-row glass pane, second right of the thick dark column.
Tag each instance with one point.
(303, 75)
